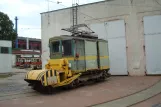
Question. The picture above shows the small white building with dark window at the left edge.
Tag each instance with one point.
(5, 56)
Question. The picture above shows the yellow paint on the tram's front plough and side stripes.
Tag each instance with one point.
(60, 65)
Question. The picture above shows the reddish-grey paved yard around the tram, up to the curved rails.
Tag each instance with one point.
(15, 92)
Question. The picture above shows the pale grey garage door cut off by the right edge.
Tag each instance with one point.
(152, 33)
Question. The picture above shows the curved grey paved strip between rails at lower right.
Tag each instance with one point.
(135, 98)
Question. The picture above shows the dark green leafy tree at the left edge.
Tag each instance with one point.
(7, 31)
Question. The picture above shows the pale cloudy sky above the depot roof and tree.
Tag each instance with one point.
(28, 13)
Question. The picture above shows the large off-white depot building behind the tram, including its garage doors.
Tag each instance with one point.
(132, 27)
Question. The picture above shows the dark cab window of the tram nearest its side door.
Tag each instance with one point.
(67, 48)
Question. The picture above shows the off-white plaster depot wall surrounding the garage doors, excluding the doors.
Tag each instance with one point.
(131, 11)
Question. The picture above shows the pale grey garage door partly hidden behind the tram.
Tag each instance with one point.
(114, 32)
